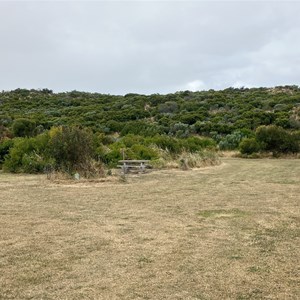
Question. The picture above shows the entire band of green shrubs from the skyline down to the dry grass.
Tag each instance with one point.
(38, 128)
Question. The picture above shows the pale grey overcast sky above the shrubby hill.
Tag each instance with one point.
(119, 47)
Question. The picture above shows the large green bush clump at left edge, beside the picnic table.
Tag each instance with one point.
(62, 148)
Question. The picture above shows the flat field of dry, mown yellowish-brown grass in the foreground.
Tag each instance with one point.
(225, 232)
